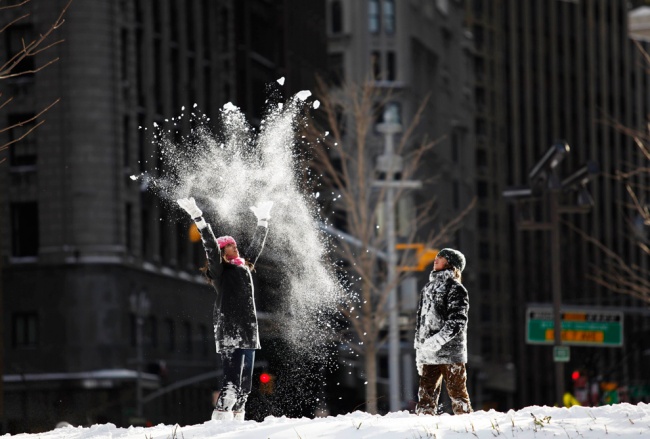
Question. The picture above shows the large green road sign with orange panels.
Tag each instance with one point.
(580, 327)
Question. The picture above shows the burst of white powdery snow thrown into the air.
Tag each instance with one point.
(239, 167)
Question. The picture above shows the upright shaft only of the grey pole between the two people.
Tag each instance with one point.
(393, 322)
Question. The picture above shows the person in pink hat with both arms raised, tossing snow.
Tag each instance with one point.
(235, 318)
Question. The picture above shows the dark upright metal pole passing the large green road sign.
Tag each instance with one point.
(556, 285)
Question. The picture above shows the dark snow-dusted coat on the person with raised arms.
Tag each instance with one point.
(235, 317)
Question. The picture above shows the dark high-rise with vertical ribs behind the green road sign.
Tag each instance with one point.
(548, 70)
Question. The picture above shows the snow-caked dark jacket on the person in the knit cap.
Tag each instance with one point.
(443, 310)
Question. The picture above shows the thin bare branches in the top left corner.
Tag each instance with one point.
(17, 66)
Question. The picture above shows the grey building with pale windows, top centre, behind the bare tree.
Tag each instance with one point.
(412, 50)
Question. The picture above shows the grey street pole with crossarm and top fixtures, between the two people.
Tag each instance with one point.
(391, 164)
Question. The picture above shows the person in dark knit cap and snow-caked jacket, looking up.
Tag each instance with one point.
(441, 336)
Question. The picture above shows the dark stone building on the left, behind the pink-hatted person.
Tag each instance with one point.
(90, 257)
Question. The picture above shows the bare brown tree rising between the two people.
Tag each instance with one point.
(344, 160)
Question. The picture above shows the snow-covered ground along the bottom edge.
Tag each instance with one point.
(606, 422)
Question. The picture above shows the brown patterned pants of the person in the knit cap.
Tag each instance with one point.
(455, 378)
